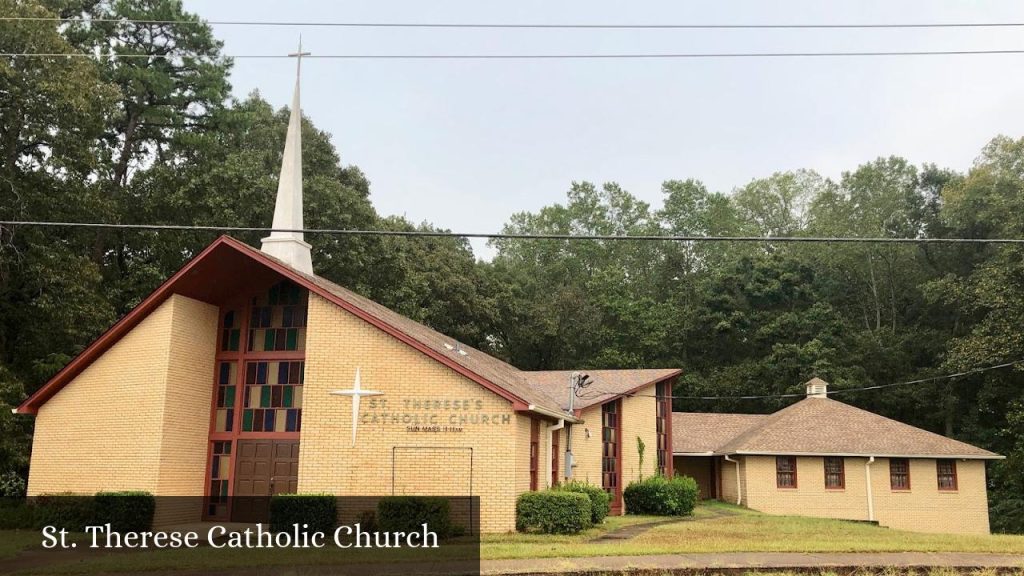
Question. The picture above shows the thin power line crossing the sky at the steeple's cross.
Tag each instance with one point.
(468, 57)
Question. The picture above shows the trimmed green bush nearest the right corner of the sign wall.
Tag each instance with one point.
(553, 512)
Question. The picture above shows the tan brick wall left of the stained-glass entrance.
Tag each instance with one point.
(138, 418)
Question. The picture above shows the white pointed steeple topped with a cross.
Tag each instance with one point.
(290, 246)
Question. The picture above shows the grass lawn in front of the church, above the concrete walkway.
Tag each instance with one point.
(714, 528)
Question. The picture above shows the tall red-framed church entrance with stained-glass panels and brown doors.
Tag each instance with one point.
(257, 420)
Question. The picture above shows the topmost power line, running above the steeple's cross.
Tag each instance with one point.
(534, 26)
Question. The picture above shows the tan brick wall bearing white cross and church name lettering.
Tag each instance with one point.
(338, 344)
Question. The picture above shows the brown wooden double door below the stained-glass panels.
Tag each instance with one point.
(264, 468)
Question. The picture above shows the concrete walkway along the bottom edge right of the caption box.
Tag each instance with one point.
(749, 561)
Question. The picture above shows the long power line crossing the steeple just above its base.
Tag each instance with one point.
(528, 236)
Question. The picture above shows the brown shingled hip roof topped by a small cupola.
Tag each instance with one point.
(825, 427)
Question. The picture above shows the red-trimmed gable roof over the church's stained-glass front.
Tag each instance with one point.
(227, 266)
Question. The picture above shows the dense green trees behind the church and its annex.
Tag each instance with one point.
(162, 141)
